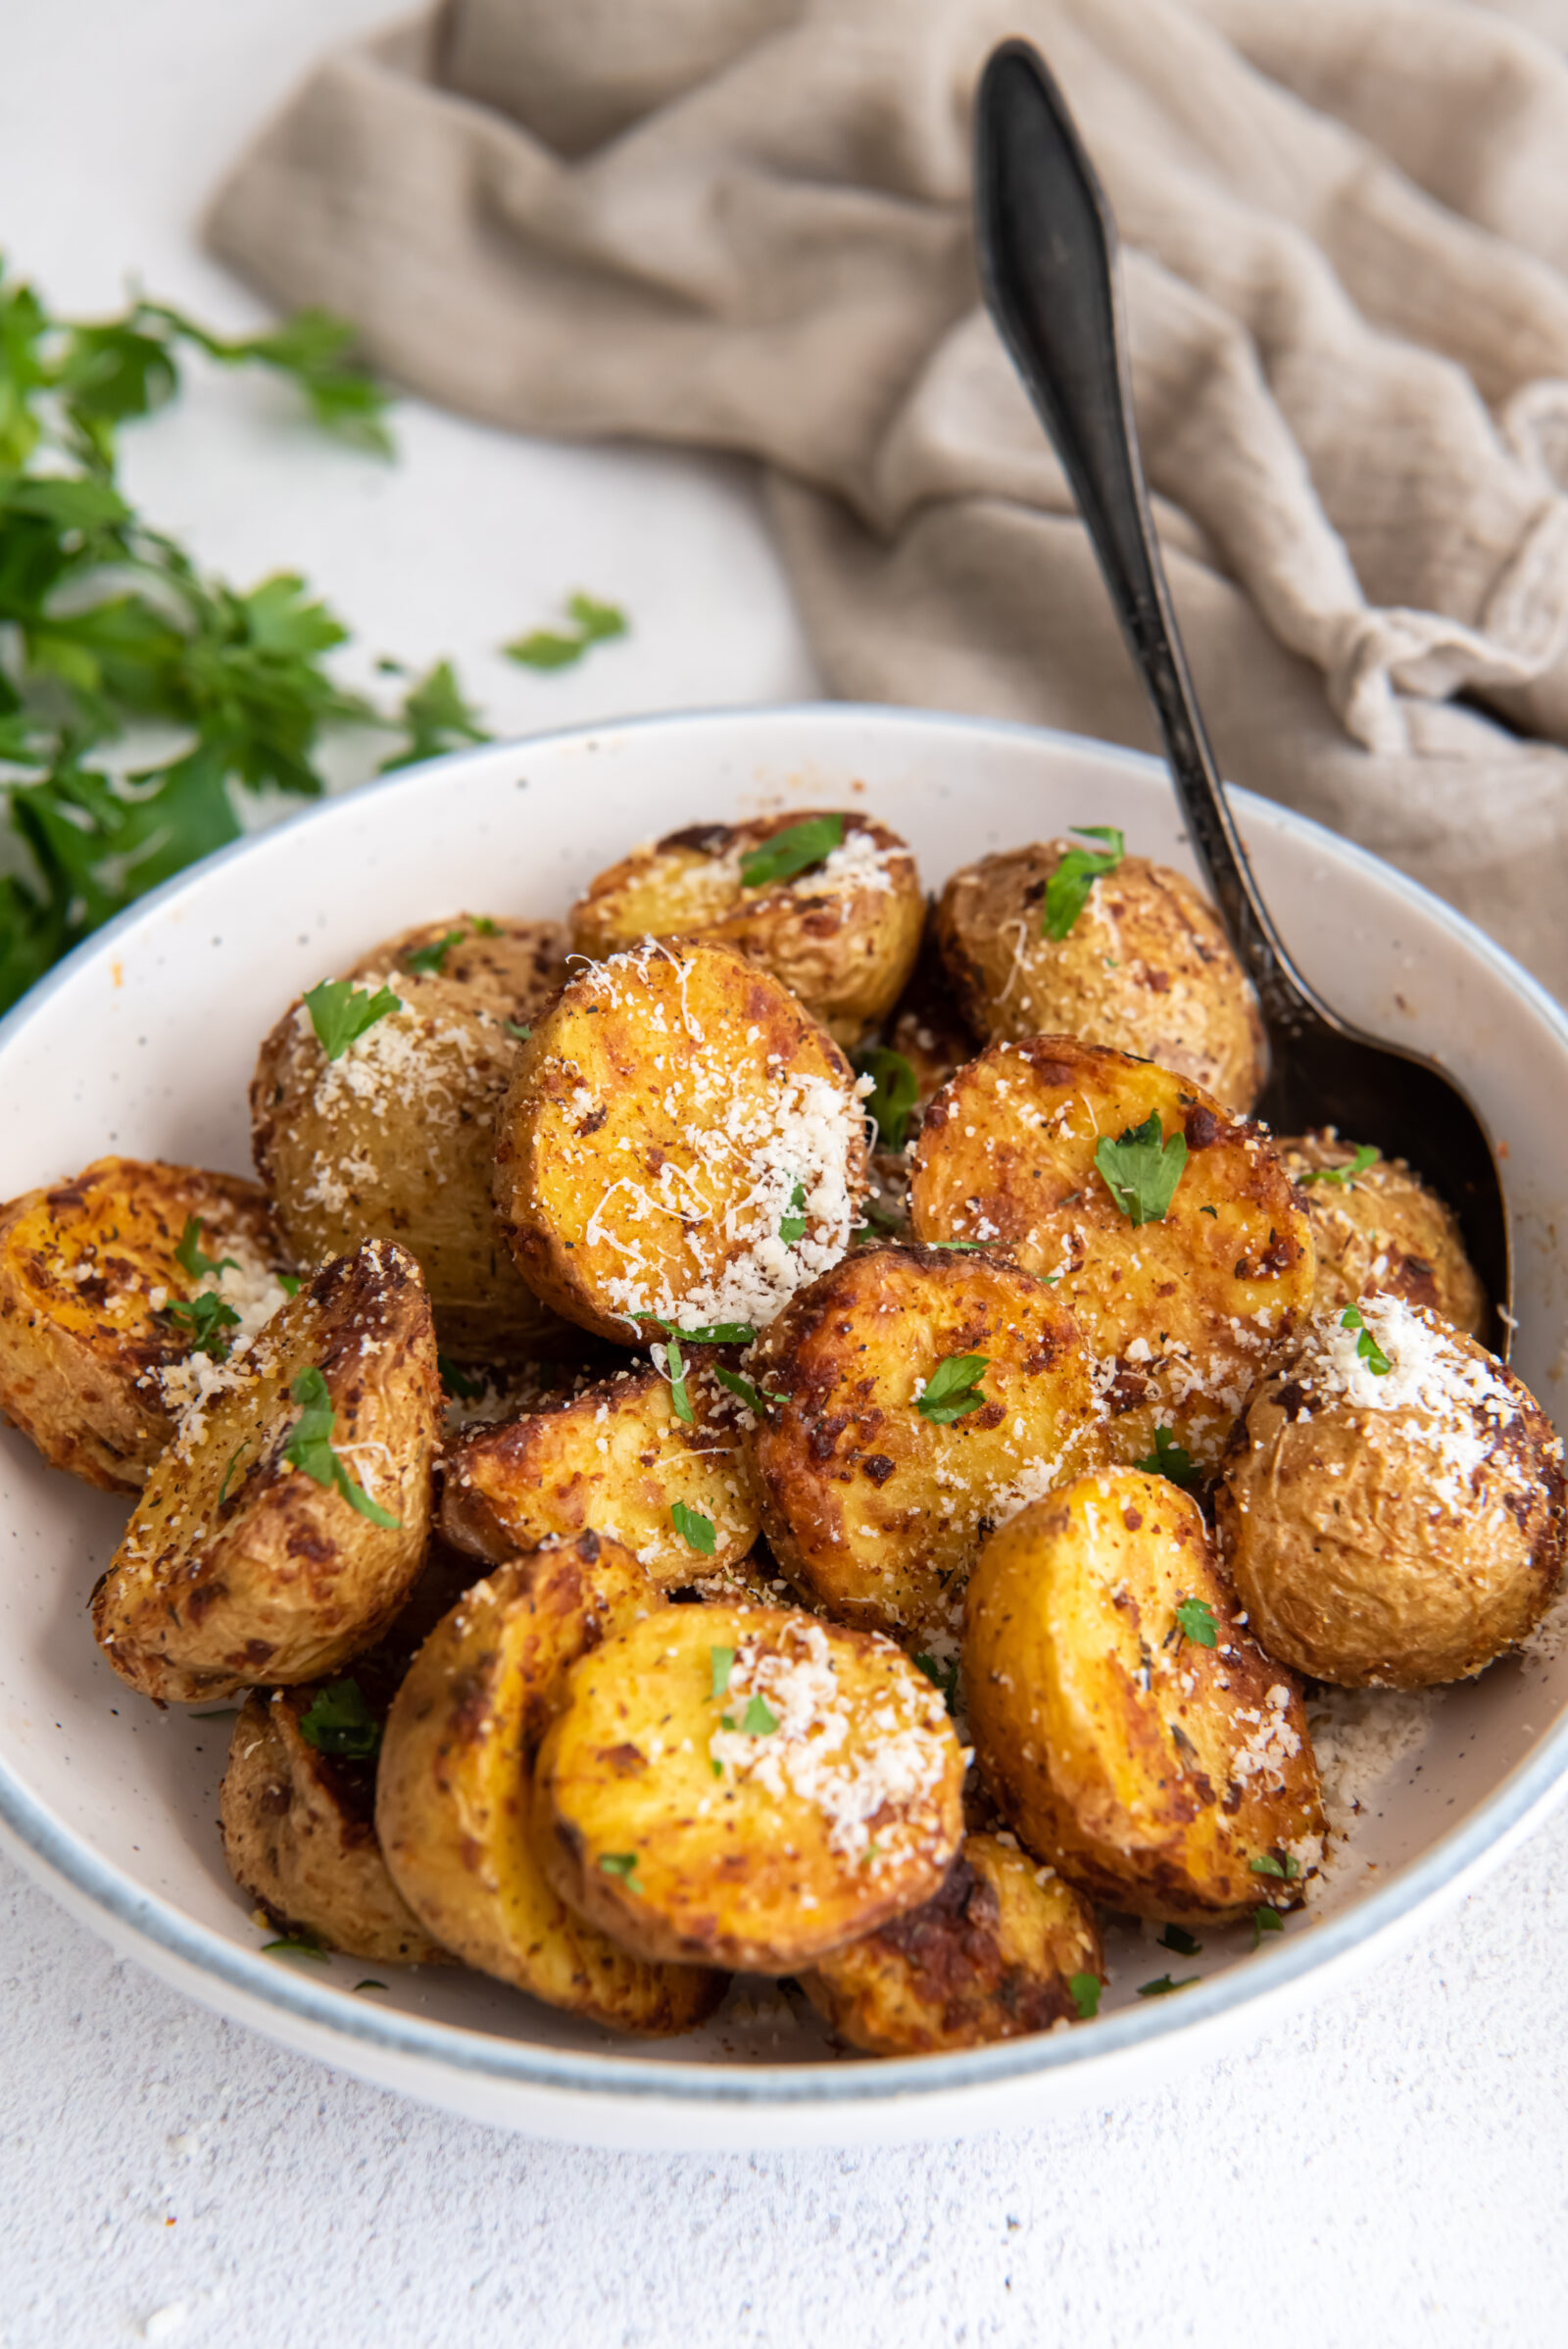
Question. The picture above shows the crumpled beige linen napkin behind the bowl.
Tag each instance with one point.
(745, 224)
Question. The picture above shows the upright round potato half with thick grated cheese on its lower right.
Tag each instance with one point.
(680, 1145)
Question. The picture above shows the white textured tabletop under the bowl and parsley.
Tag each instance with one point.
(1388, 2169)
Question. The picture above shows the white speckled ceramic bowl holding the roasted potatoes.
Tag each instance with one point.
(144, 1044)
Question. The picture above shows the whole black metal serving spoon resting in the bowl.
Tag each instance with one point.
(1048, 257)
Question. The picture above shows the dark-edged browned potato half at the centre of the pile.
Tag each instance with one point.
(877, 1500)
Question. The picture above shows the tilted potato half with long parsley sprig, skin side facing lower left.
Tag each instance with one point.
(285, 1526)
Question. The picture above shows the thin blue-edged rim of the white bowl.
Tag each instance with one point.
(520, 2064)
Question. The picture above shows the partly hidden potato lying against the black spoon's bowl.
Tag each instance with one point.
(1384, 1234)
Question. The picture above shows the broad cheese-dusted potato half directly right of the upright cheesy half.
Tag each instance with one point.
(1184, 1314)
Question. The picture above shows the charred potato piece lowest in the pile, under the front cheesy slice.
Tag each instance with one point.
(989, 1958)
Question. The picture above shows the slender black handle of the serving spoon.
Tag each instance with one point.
(1048, 255)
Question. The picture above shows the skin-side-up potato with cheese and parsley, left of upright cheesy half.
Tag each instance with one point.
(393, 1140)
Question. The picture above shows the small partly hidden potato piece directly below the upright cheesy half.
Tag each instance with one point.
(614, 1458)
